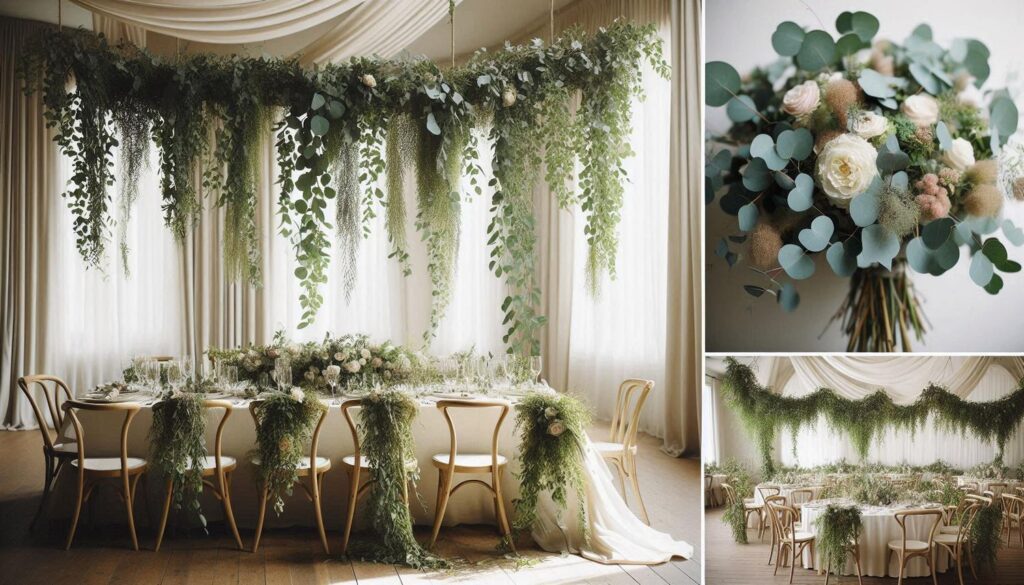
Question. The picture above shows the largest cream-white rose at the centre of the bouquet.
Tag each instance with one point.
(846, 168)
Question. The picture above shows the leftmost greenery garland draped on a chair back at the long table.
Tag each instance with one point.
(178, 446)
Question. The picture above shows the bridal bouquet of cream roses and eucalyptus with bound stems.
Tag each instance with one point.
(880, 156)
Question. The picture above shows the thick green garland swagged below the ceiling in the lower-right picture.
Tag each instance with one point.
(764, 413)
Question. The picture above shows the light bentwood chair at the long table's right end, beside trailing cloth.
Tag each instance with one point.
(621, 449)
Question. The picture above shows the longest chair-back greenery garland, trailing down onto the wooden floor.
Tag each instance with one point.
(386, 427)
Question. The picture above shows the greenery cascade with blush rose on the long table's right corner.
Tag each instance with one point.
(551, 430)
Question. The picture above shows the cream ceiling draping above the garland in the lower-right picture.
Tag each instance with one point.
(903, 378)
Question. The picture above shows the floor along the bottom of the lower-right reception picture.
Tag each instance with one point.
(732, 564)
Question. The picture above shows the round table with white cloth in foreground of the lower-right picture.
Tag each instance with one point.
(879, 528)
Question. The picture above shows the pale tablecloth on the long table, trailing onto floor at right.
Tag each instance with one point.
(617, 534)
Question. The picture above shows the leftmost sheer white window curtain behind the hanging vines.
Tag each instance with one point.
(98, 321)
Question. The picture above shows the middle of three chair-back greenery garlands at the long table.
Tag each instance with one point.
(286, 426)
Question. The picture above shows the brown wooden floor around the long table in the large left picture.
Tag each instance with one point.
(671, 489)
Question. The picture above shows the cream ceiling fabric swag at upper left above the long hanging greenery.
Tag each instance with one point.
(227, 22)
